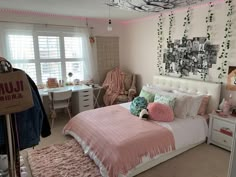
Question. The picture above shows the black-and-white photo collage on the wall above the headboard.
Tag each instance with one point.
(186, 56)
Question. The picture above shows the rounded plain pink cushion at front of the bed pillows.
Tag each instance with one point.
(160, 112)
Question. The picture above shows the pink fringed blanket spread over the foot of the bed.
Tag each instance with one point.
(118, 139)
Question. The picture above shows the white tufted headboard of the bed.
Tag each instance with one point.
(193, 86)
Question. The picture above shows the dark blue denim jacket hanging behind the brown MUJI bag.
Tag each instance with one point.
(30, 123)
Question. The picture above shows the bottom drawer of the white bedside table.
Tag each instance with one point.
(222, 139)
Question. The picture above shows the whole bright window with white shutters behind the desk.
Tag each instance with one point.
(44, 56)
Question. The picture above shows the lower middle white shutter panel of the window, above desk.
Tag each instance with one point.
(51, 70)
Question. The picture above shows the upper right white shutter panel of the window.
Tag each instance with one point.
(73, 47)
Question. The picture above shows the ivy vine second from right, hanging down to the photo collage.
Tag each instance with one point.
(209, 20)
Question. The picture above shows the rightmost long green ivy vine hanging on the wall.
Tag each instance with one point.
(225, 46)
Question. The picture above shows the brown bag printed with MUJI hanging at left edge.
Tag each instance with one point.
(15, 92)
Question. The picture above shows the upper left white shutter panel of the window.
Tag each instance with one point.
(21, 47)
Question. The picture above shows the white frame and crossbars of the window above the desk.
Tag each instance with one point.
(37, 60)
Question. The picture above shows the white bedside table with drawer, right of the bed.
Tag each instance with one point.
(221, 131)
